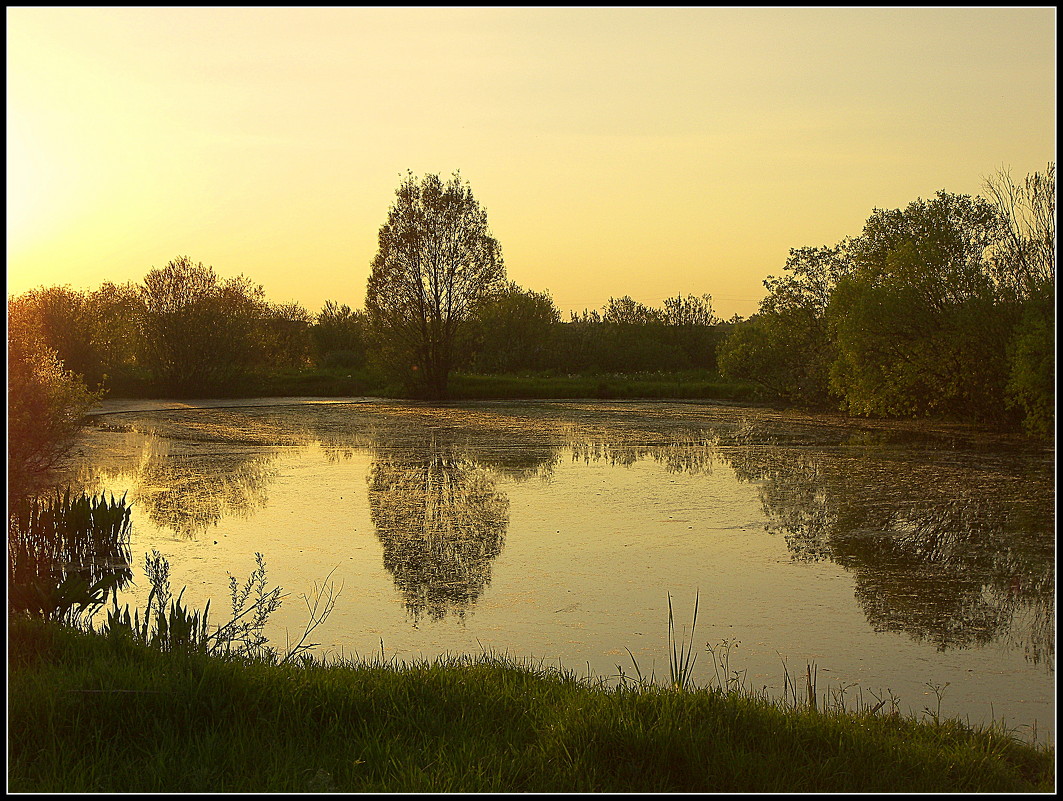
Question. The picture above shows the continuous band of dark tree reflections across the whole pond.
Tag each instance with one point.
(948, 543)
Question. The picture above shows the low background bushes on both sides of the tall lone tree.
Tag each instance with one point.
(184, 332)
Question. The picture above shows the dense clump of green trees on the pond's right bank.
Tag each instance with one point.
(944, 309)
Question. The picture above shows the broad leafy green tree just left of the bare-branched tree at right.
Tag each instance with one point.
(916, 325)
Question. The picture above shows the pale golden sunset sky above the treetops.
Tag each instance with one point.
(617, 151)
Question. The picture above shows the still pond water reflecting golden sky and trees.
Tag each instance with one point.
(897, 558)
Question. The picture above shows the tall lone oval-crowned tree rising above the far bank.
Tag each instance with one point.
(437, 261)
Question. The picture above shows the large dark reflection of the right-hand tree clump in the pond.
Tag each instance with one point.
(949, 553)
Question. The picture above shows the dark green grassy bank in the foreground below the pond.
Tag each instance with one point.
(90, 714)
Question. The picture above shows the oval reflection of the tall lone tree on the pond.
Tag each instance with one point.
(442, 522)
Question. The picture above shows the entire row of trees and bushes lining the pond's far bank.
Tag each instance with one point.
(943, 309)
